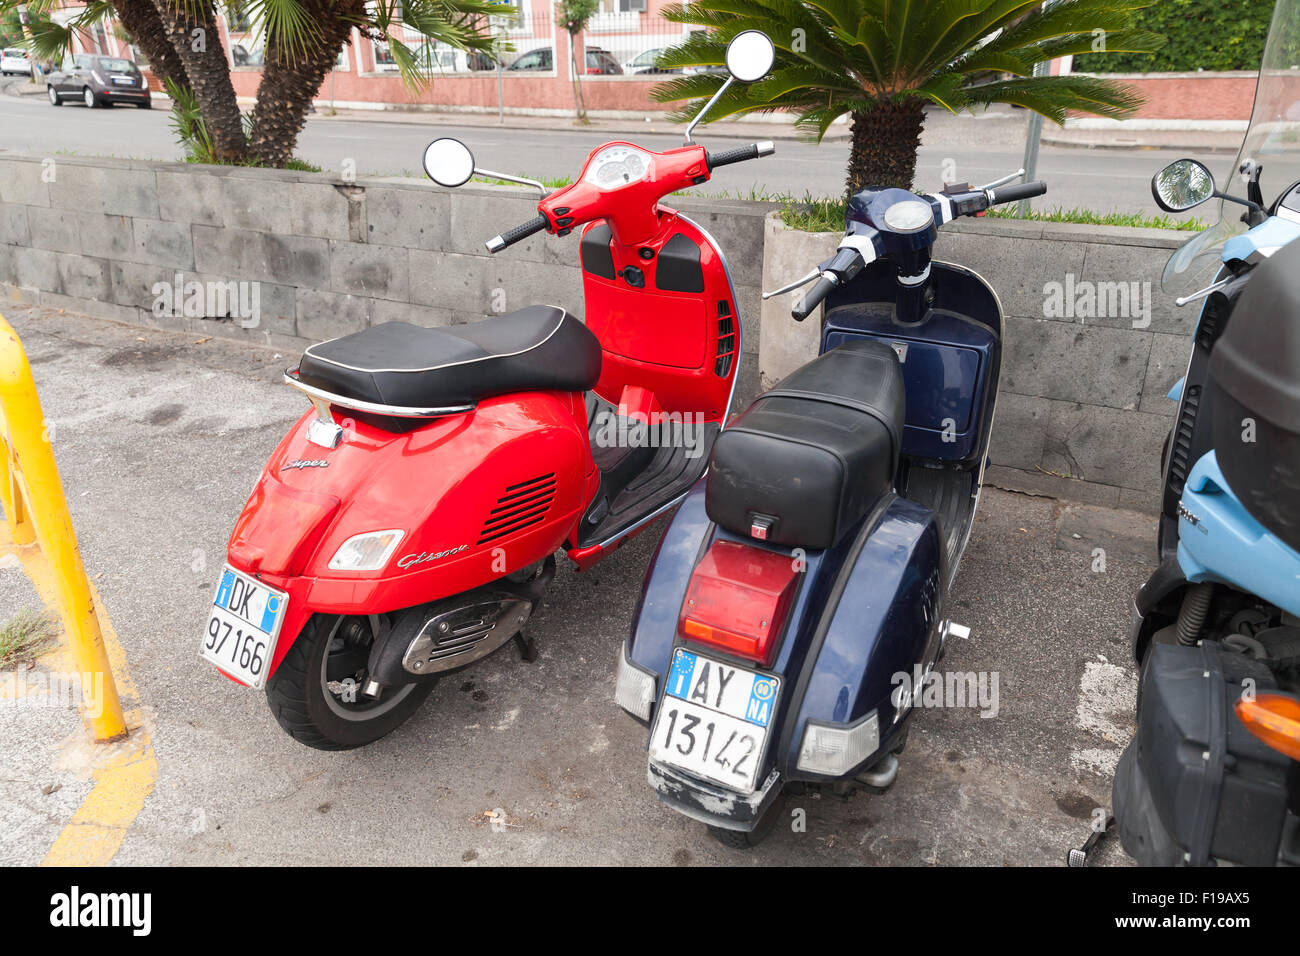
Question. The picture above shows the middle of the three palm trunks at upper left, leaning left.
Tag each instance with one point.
(209, 71)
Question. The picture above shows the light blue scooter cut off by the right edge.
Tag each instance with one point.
(1212, 775)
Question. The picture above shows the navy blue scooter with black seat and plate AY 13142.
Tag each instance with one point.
(808, 572)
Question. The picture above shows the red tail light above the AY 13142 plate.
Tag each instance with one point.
(739, 600)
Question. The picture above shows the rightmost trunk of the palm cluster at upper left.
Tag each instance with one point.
(289, 84)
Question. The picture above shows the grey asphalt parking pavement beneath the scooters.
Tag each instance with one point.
(159, 438)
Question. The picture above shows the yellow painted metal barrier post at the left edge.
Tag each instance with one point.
(36, 508)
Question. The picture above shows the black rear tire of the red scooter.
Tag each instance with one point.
(305, 707)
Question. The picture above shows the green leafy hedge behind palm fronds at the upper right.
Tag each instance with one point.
(1202, 36)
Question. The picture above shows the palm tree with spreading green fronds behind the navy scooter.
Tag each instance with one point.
(883, 62)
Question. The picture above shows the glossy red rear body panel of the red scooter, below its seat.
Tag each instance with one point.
(479, 496)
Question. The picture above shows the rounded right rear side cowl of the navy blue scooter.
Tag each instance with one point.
(883, 625)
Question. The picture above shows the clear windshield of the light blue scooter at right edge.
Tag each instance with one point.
(1272, 141)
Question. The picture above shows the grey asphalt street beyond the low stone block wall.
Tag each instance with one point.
(973, 149)
